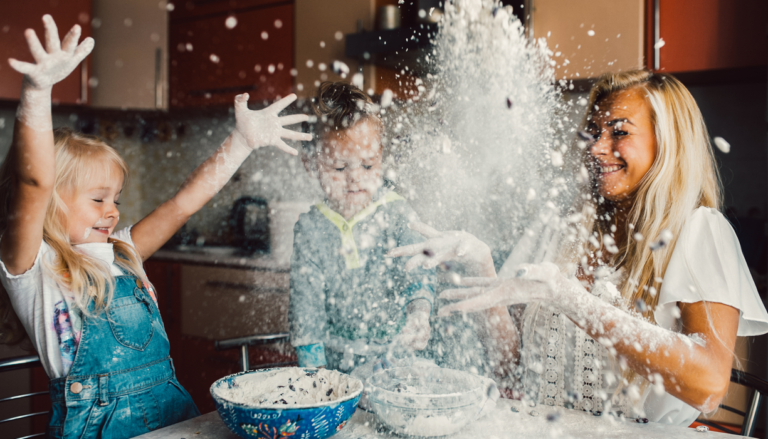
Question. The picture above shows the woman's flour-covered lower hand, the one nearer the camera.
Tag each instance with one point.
(533, 283)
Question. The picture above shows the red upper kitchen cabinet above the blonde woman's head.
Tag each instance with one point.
(707, 35)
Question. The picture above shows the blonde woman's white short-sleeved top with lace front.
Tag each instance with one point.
(565, 367)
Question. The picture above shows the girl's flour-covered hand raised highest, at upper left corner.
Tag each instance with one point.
(57, 60)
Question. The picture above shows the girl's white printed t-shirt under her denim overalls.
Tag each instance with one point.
(48, 312)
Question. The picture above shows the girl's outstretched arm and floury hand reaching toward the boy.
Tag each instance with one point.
(254, 129)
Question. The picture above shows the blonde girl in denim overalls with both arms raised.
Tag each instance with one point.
(78, 286)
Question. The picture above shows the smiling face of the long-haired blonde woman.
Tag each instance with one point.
(625, 143)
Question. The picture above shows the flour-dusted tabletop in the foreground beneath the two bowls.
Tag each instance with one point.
(502, 422)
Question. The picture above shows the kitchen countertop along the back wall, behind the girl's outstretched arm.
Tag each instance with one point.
(226, 257)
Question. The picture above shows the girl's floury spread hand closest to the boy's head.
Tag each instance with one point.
(264, 127)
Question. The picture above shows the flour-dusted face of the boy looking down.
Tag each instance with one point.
(348, 166)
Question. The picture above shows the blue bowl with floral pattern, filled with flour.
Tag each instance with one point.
(290, 401)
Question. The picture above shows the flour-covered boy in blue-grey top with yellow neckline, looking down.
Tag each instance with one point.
(350, 304)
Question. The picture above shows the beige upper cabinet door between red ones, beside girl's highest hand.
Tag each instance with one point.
(129, 60)
